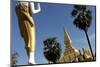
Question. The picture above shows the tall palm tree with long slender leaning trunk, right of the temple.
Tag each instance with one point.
(83, 17)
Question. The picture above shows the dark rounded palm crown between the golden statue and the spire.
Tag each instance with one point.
(52, 50)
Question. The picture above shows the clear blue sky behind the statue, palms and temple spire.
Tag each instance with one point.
(50, 23)
